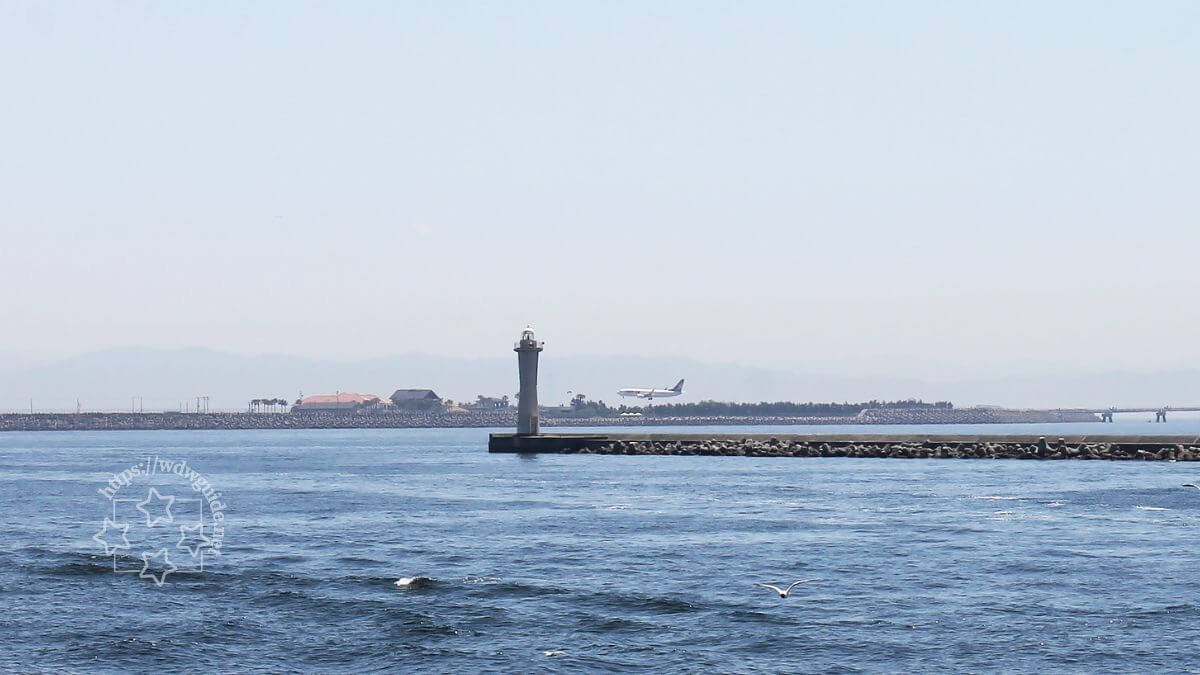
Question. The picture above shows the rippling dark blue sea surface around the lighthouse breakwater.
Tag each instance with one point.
(586, 563)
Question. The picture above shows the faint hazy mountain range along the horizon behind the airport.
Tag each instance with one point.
(167, 379)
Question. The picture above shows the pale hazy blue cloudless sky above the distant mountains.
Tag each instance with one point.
(934, 189)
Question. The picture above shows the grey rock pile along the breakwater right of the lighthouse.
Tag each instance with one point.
(929, 450)
